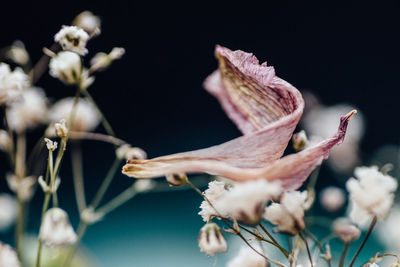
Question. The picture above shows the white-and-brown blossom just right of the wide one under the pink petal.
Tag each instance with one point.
(288, 215)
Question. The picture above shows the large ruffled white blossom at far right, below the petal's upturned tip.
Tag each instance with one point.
(371, 194)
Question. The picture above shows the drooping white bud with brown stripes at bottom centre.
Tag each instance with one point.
(211, 240)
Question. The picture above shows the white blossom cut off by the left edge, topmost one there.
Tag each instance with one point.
(12, 83)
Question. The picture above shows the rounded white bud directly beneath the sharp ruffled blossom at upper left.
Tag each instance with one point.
(66, 66)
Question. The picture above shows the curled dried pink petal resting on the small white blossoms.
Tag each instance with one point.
(266, 109)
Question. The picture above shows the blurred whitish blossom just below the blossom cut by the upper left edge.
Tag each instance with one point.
(28, 111)
